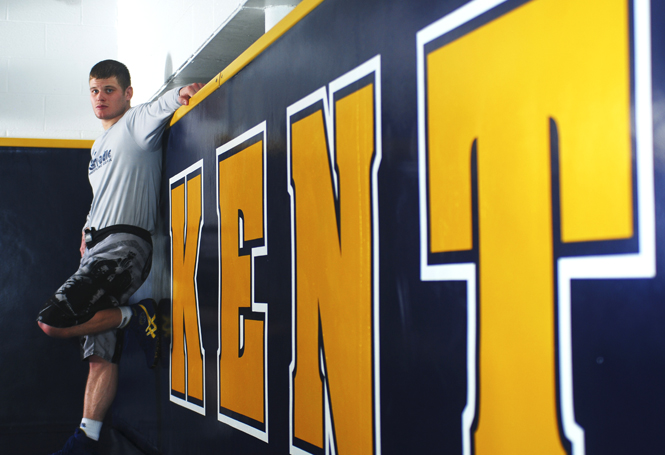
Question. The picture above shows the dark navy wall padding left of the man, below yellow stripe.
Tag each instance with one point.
(44, 199)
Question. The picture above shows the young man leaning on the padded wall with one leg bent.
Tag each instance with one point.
(116, 245)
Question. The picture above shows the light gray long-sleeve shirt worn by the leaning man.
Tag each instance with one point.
(126, 166)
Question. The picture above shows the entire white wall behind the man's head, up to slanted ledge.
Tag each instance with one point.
(47, 48)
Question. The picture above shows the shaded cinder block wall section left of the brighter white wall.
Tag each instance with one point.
(46, 49)
